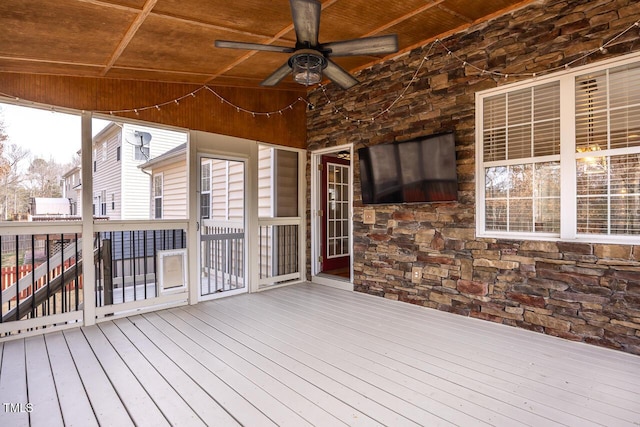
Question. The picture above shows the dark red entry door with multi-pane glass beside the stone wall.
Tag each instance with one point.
(336, 248)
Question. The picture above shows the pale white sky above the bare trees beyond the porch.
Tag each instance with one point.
(47, 134)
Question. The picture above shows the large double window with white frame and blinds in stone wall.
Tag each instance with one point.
(560, 157)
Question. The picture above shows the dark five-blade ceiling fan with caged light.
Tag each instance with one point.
(310, 59)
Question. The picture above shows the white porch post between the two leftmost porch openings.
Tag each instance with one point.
(88, 271)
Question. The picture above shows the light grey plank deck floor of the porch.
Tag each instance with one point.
(312, 355)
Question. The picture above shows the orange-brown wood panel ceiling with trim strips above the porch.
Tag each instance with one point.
(172, 40)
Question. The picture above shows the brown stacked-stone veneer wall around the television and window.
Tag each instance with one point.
(579, 291)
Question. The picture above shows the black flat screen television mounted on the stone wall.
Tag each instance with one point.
(416, 171)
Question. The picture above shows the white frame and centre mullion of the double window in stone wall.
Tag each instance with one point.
(568, 190)
